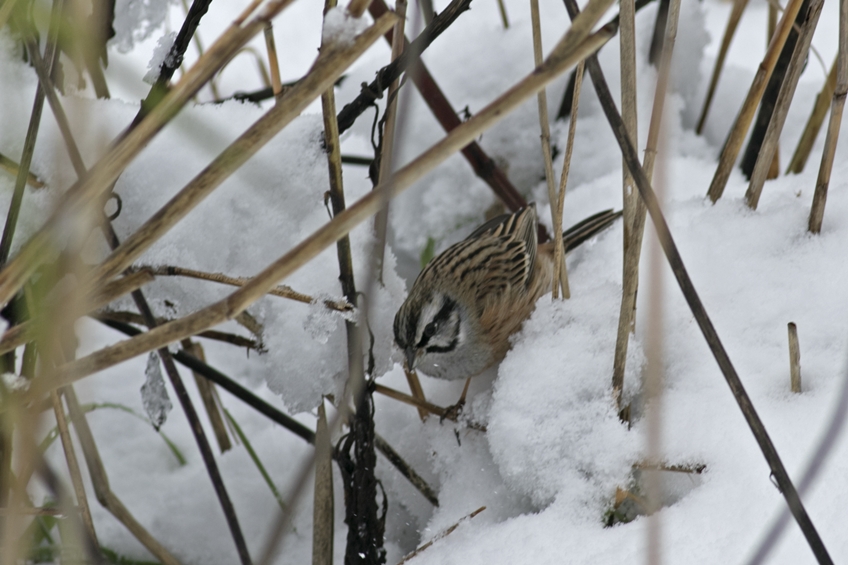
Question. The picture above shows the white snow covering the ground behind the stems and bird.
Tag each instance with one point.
(554, 452)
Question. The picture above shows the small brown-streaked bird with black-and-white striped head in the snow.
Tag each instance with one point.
(465, 304)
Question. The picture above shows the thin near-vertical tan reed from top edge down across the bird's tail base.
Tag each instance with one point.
(561, 276)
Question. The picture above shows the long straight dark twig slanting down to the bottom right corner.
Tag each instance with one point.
(676, 261)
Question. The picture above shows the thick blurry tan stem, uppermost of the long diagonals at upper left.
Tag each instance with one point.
(104, 173)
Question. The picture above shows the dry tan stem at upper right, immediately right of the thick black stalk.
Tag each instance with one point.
(769, 147)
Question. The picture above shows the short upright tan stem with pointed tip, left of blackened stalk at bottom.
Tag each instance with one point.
(323, 518)
